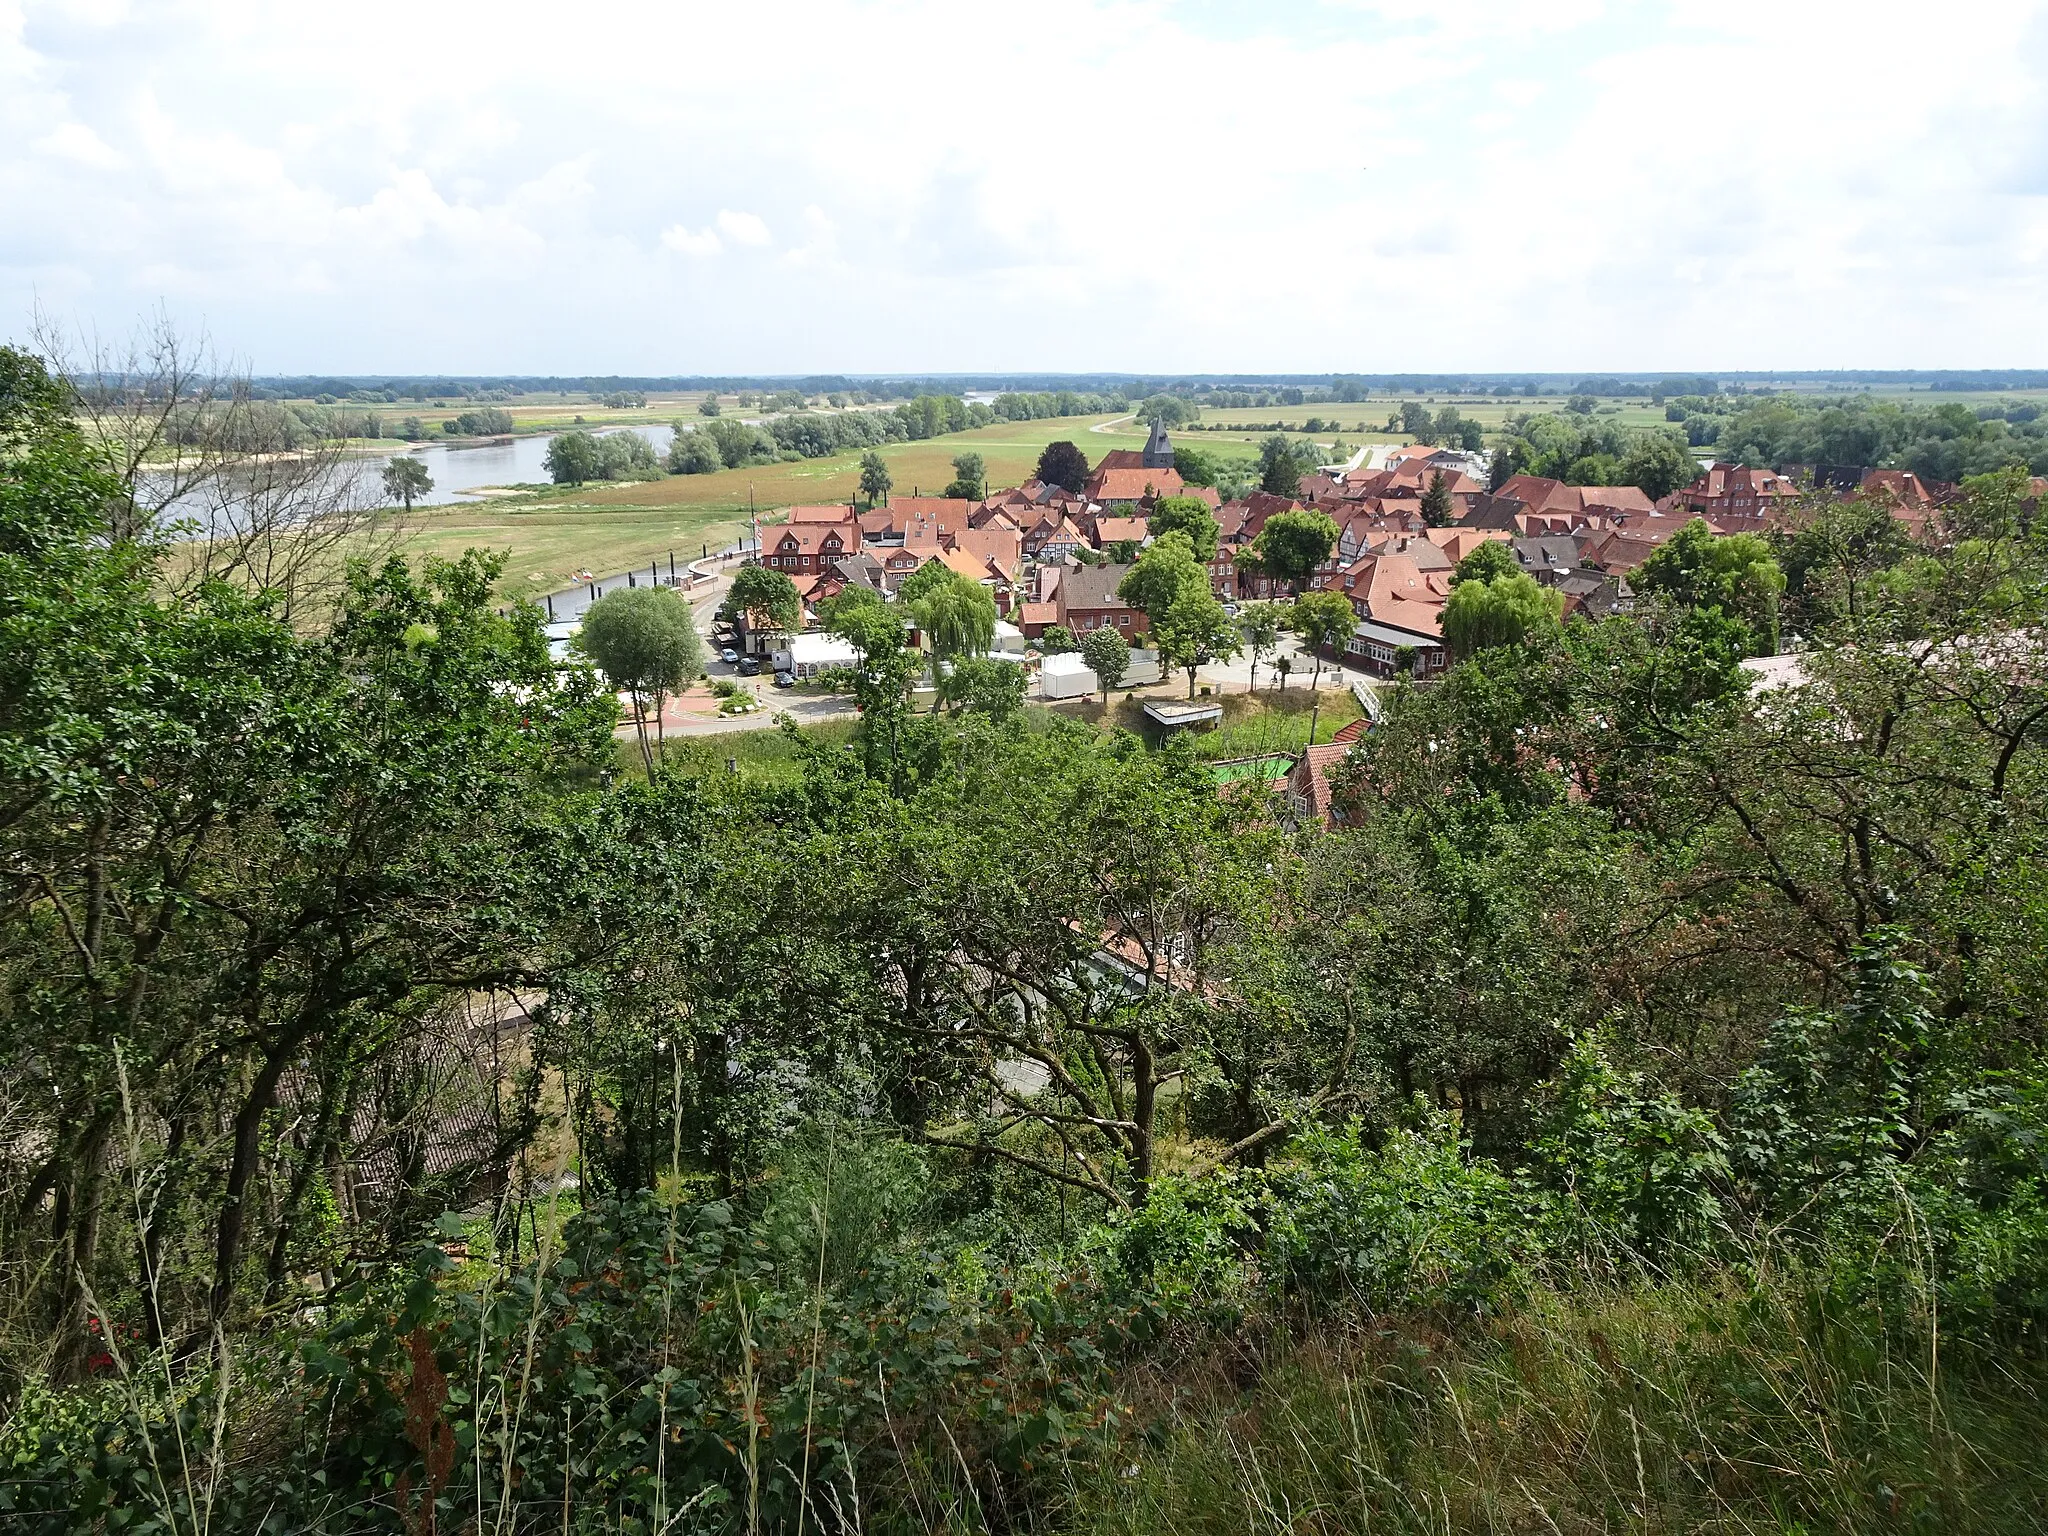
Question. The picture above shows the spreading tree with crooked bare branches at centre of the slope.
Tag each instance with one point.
(1150, 853)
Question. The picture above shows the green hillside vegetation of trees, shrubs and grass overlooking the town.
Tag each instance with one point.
(1629, 1117)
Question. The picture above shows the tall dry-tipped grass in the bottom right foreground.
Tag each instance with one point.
(1672, 1410)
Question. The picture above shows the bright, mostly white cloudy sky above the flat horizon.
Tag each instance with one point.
(1048, 185)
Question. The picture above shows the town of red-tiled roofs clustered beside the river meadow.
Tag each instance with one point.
(1388, 531)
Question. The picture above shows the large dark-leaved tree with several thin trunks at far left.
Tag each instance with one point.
(296, 847)
